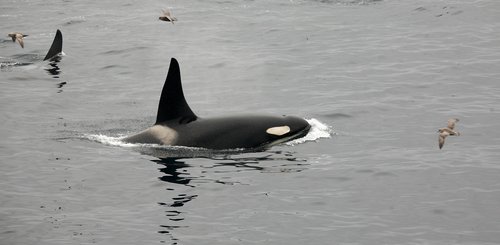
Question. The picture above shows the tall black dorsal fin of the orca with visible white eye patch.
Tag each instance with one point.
(173, 105)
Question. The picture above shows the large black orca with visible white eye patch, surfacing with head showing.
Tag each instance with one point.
(177, 125)
